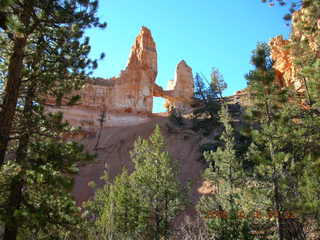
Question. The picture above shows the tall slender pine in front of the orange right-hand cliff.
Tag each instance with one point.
(265, 95)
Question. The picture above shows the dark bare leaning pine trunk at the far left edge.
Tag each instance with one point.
(11, 94)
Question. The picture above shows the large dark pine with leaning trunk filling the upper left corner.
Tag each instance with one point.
(43, 37)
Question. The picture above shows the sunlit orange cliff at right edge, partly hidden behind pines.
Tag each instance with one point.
(287, 73)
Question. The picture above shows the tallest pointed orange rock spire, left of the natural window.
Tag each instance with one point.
(134, 87)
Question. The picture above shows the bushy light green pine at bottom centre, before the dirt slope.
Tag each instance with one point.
(143, 204)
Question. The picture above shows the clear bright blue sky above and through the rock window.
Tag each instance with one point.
(204, 33)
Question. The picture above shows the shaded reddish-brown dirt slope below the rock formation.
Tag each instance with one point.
(113, 152)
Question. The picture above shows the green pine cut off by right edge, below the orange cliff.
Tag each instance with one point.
(305, 154)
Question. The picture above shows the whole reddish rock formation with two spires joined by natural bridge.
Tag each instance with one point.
(128, 99)
